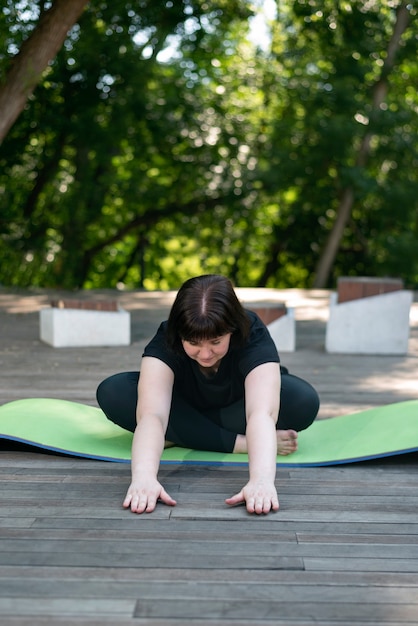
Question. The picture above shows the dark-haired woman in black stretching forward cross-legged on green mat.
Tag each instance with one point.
(210, 379)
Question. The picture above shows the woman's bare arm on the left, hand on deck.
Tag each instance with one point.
(154, 399)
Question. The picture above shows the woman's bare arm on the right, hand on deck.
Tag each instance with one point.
(262, 399)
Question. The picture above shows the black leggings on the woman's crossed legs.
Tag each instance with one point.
(217, 429)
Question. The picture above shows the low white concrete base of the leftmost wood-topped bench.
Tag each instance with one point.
(65, 327)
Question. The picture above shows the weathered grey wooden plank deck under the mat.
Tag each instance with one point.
(342, 550)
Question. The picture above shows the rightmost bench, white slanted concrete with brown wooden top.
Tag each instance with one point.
(368, 316)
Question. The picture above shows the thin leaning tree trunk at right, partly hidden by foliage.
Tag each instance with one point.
(347, 199)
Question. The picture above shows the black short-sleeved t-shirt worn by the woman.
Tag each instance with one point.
(227, 385)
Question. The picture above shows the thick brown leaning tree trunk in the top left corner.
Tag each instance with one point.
(36, 52)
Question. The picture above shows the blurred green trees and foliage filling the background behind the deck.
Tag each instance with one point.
(273, 142)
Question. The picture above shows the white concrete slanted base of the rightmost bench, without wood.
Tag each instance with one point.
(373, 325)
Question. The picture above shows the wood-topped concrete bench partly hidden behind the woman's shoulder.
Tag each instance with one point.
(280, 322)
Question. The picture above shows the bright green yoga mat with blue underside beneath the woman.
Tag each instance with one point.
(83, 431)
